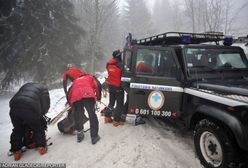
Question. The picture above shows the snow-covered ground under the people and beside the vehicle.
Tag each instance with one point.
(153, 144)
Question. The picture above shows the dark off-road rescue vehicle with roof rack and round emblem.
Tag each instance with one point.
(199, 85)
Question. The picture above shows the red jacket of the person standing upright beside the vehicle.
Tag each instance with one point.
(114, 73)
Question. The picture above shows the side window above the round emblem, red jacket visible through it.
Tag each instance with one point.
(155, 62)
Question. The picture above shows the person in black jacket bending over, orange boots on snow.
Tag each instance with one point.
(27, 108)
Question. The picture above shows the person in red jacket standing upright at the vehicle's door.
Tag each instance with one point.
(116, 93)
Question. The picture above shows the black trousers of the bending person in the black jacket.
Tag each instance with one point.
(21, 118)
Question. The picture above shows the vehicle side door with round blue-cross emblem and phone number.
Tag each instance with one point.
(154, 88)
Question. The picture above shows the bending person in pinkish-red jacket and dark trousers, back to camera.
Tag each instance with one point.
(83, 94)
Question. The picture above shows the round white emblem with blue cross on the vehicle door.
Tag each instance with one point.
(156, 100)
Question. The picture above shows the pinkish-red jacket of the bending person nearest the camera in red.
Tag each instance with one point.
(83, 87)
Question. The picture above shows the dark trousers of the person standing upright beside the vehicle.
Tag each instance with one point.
(116, 95)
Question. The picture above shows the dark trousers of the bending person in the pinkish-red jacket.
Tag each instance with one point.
(78, 109)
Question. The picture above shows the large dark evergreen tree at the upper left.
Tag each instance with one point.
(38, 39)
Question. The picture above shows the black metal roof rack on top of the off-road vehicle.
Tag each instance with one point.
(175, 38)
